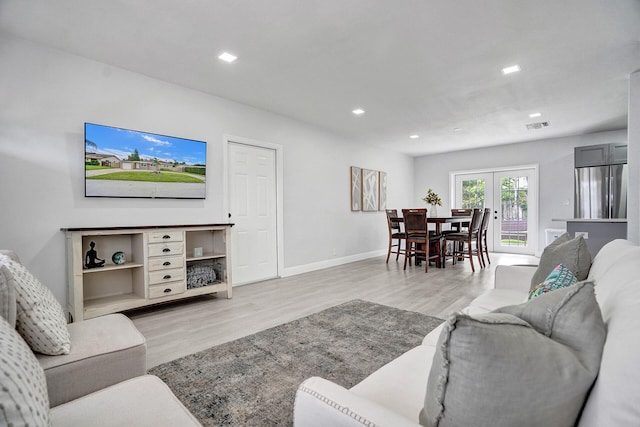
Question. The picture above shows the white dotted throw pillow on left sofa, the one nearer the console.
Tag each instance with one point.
(39, 318)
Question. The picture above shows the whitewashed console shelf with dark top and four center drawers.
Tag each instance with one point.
(162, 264)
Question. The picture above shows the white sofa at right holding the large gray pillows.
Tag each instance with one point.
(395, 394)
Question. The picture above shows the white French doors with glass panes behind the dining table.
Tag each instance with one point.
(512, 196)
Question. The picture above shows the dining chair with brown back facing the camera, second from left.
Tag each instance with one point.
(417, 238)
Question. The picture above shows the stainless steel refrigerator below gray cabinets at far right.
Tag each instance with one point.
(601, 191)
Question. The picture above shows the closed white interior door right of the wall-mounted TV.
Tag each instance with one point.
(253, 210)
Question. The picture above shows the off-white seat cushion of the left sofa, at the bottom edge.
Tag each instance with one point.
(142, 401)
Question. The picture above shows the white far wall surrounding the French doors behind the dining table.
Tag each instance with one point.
(555, 160)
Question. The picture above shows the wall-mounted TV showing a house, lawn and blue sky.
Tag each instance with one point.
(129, 163)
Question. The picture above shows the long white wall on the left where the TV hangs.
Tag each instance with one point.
(47, 96)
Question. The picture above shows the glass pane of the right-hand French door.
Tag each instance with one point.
(514, 192)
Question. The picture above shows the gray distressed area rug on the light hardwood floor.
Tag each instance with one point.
(252, 381)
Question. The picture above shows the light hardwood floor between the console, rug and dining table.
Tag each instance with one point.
(178, 329)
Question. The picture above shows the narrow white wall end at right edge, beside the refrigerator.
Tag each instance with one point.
(633, 232)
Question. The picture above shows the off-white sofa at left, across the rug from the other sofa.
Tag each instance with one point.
(101, 381)
